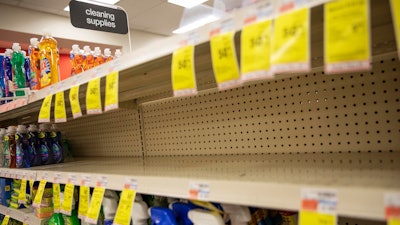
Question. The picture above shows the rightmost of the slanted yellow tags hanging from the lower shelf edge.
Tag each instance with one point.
(124, 210)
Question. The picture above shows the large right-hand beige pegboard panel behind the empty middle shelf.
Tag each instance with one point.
(314, 112)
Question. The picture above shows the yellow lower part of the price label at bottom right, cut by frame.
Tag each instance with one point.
(315, 218)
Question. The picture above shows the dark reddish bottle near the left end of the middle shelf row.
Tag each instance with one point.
(10, 148)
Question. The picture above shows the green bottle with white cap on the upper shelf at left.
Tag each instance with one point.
(17, 62)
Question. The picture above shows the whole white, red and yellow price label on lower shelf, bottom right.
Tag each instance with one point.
(318, 207)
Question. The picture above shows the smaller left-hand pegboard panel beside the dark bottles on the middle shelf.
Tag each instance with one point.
(114, 134)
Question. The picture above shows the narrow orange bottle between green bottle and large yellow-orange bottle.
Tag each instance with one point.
(34, 57)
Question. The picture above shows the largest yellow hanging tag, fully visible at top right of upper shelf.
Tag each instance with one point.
(347, 36)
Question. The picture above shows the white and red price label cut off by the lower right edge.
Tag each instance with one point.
(392, 208)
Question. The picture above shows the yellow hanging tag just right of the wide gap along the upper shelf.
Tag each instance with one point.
(183, 74)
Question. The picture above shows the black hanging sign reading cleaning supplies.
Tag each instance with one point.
(95, 17)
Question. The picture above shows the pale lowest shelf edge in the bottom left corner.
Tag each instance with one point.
(24, 215)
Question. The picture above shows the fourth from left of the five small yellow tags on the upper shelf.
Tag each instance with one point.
(93, 97)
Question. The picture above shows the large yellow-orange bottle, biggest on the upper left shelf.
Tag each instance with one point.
(49, 61)
